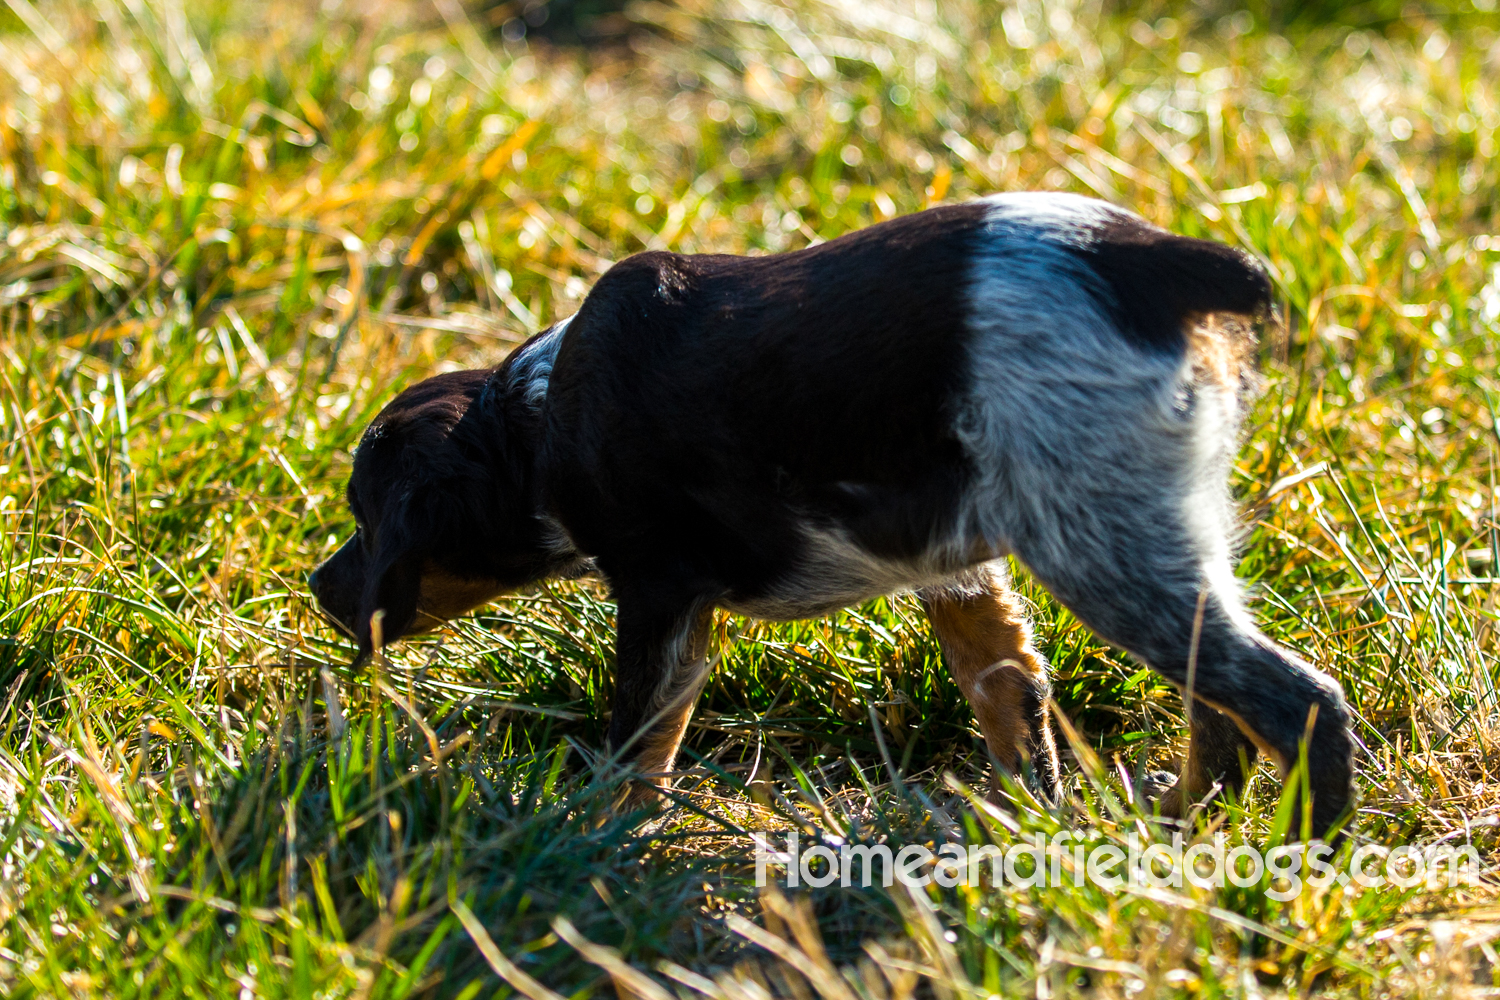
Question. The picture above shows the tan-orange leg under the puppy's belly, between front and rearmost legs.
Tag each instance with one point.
(988, 644)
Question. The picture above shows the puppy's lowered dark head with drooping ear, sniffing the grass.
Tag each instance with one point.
(445, 507)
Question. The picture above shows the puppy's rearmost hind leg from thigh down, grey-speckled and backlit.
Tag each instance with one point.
(1133, 570)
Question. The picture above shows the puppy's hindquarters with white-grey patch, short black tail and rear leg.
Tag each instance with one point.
(1105, 466)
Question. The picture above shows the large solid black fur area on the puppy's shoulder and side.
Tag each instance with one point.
(743, 440)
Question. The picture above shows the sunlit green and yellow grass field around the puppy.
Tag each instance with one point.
(230, 233)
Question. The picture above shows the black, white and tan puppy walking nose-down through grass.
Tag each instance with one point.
(1039, 376)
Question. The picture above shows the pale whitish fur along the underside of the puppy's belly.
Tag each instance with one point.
(835, 572)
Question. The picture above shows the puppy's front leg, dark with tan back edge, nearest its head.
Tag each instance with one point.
(662, 660)
